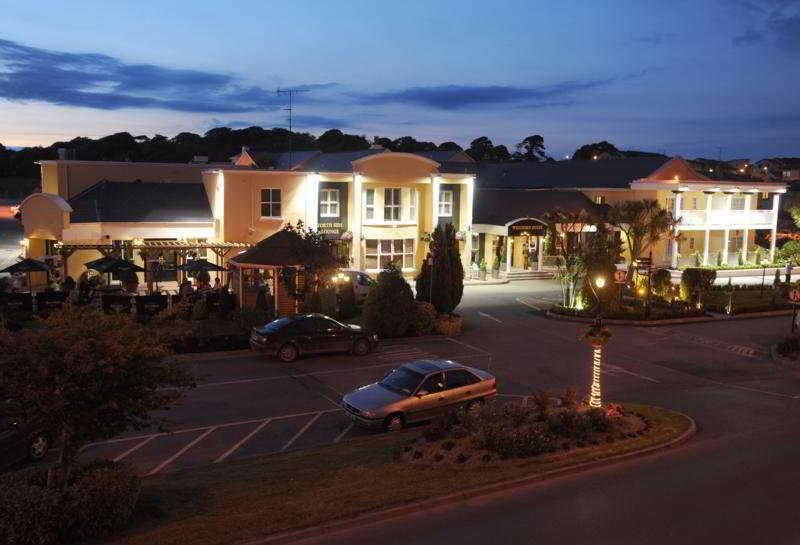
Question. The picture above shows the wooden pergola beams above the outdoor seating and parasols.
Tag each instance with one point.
(151, 248)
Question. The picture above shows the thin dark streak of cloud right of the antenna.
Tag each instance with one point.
(458, 97)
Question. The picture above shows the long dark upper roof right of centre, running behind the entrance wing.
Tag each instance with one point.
(614, 173)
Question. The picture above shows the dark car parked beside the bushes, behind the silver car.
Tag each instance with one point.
(290, 336)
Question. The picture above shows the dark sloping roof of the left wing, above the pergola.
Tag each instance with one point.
(108, 201)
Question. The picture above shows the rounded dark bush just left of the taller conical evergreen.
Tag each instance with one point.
(389, 309)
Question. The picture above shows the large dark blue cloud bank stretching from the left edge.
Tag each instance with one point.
(102, 82)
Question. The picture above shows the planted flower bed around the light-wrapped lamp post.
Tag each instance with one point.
(498, 433)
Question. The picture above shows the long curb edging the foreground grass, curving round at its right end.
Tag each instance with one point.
(422, 505)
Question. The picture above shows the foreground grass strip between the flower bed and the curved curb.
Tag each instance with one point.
(247, 499)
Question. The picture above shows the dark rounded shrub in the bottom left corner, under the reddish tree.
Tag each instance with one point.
(99, 499)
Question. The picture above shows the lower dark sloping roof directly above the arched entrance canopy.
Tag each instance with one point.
(500, 206)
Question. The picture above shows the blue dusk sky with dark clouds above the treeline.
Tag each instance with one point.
(697, 78)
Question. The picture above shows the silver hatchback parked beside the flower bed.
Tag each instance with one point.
(419, 391)
